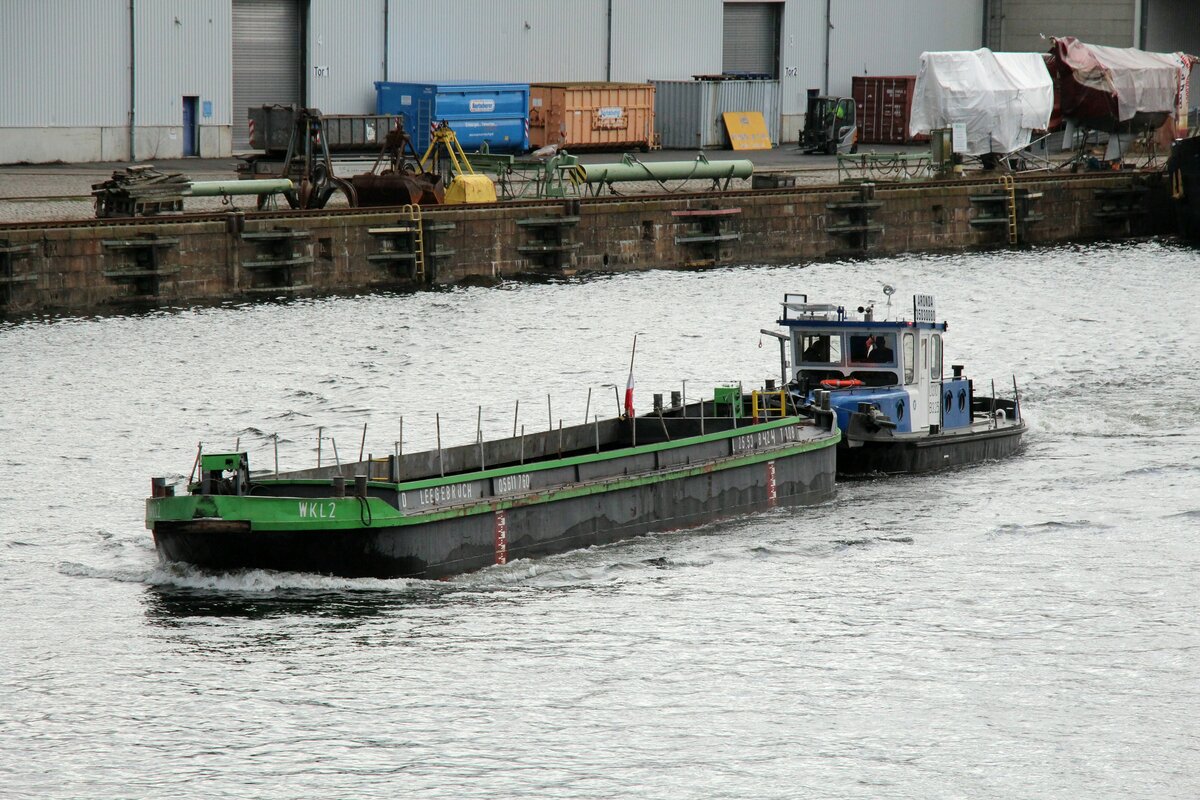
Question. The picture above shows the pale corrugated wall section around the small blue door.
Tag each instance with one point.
(183, 49)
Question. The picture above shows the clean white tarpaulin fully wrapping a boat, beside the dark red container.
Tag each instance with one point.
(1001, 98)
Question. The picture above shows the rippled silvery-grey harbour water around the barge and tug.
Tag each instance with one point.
(1024, 629)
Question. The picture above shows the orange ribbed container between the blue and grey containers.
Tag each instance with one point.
(577, 116)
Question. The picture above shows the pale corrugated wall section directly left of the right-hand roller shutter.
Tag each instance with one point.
(641, 50)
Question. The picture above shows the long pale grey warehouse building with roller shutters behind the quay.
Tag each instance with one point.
(143, 80)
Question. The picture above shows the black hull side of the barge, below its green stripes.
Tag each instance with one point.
(508, 532)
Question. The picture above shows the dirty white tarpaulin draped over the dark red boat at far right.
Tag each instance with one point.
(1142, 81)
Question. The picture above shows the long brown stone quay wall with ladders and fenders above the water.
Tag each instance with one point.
(95, 267)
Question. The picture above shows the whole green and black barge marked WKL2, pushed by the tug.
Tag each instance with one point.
(443, 513)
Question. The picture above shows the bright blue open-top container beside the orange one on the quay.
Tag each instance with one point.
(496, 113)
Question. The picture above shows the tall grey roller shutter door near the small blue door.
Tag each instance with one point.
(267, 50)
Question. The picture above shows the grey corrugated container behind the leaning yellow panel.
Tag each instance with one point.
(688, 113)
